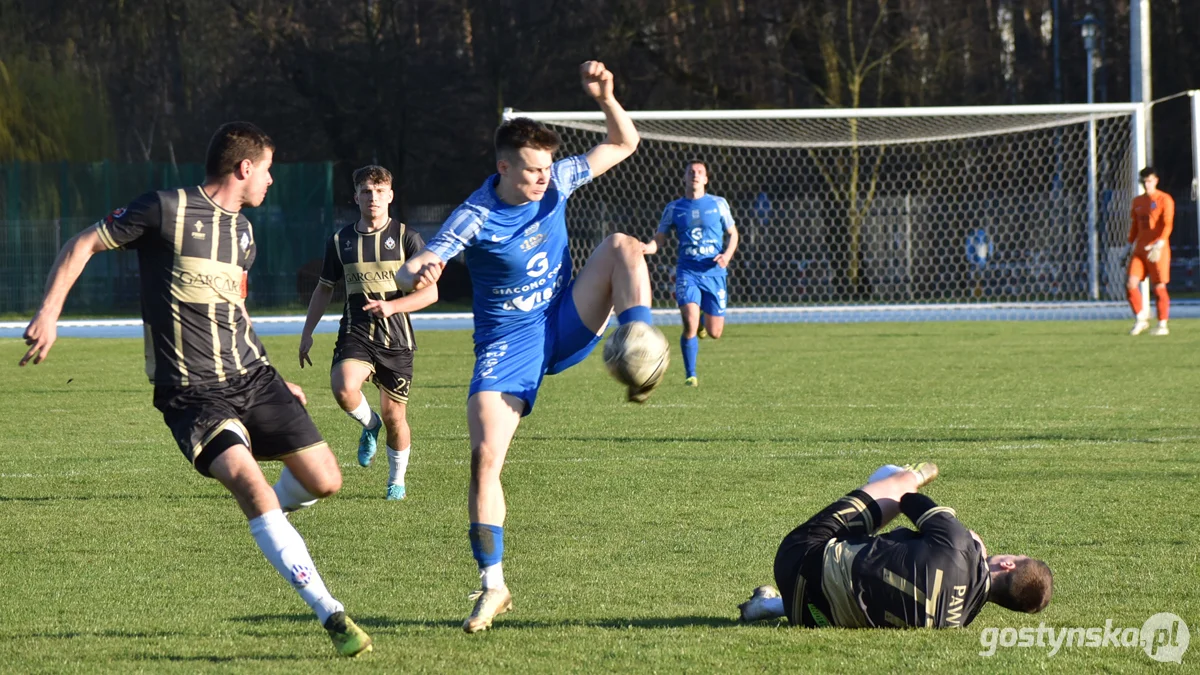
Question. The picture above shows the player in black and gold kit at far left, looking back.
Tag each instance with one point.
(225, 404)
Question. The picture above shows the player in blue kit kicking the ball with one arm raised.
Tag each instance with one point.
(531, 318)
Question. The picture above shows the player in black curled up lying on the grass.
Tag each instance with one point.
(835, 571)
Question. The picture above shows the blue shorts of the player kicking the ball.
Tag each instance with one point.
(517, 363)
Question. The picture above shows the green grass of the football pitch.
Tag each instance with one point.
(633, 531)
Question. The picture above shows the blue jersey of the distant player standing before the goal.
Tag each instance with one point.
(700, 226)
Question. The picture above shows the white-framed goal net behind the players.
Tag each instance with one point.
(915, 211)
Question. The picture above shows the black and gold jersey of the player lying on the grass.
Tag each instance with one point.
(935, 577)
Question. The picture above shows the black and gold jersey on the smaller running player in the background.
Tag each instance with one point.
(368, 262)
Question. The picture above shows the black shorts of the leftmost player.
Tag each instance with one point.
(256, 409)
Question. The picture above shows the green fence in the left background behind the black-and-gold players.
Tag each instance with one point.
(45, 205)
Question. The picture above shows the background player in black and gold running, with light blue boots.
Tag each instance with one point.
(375, 339)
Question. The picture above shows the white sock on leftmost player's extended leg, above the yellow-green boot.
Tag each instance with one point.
(287, 553)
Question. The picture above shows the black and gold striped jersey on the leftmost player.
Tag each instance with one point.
(193, 260)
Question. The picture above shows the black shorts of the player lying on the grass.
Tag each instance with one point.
(801, 557)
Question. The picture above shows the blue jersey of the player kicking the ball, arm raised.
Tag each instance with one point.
(517, 256)
